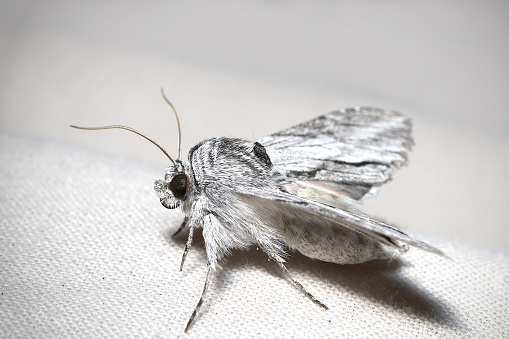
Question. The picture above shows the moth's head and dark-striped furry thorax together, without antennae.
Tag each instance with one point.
(223, 162)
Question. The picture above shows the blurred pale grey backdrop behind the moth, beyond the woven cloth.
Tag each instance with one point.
(250, 68)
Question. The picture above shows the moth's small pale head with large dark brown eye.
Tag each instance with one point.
(175, 186)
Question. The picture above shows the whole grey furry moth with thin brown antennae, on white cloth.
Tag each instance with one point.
(294, 190)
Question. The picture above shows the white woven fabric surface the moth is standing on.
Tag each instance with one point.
(86, 251)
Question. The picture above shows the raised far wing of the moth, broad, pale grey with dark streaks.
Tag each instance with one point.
(352, 151)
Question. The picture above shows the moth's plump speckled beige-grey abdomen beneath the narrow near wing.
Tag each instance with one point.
(321, 239)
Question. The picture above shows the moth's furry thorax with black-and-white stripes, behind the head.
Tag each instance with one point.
(230, 162)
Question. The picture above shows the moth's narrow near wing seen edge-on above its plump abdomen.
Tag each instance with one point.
(355, 221)
